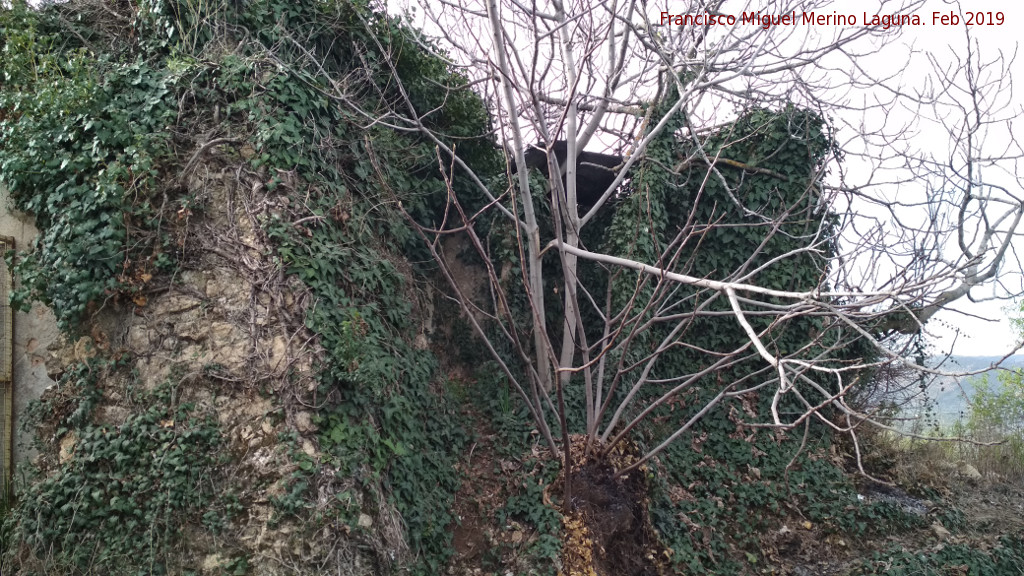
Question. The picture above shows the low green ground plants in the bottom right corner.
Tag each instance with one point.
(1006, 559)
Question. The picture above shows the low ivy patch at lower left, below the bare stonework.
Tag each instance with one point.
(118, 504)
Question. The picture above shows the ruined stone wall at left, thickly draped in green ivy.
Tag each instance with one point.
(153, 147)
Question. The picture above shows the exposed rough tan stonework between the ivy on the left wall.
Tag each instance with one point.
(220, 315)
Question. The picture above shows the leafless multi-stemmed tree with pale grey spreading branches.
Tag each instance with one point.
(898, 228)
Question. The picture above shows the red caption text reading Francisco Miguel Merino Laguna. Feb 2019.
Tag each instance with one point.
(835, 19)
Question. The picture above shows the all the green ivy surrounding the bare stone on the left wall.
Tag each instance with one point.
(86, 147)
